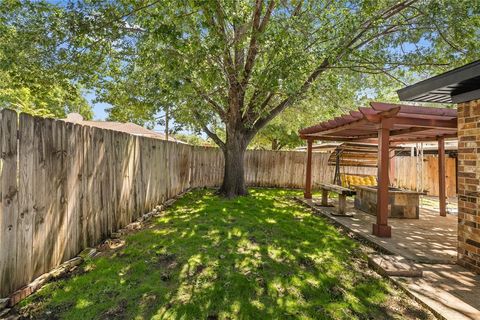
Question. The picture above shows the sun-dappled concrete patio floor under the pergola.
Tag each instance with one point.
(430, 244)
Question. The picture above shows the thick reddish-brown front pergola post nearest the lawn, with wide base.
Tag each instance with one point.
(381, 228)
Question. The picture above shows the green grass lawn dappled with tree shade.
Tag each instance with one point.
(257, 257)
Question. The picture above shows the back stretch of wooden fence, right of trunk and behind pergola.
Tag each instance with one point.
(287, 169)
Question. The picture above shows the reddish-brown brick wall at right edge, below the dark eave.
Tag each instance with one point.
(468, 185)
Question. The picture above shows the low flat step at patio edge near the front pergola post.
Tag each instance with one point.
(393, 265)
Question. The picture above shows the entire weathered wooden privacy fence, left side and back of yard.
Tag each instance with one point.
(65, 186)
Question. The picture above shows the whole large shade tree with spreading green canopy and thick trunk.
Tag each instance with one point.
(231, 67)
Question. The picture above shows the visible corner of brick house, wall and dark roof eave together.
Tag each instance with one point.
(460, 86)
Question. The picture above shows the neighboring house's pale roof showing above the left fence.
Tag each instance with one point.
(127, 127)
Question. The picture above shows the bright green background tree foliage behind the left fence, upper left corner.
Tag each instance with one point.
(34, 75)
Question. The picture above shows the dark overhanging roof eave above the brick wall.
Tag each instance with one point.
(455, 86)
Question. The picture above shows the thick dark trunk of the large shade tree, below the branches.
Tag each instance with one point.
(234, 174)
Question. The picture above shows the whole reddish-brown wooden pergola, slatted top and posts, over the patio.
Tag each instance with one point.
(386, 124)
